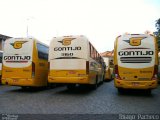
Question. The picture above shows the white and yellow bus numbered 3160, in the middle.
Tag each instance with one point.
(73, 60)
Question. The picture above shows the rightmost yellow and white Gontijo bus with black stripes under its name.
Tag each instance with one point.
(136, 62)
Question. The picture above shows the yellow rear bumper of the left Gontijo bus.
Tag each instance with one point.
(18, 81)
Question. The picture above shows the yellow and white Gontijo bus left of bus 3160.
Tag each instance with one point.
(25, 63)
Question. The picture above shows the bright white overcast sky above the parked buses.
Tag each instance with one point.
(99, 20)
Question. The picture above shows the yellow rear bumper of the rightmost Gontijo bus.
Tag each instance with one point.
(135, 84)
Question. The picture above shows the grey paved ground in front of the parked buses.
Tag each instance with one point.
(104, 100)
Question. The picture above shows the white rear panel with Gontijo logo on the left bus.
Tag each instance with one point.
(18, 55)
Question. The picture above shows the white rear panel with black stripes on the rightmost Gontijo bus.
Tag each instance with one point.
(142, 56)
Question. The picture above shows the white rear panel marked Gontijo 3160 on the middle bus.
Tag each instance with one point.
(69, 57)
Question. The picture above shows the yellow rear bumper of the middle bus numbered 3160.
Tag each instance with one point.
(77, 80)
